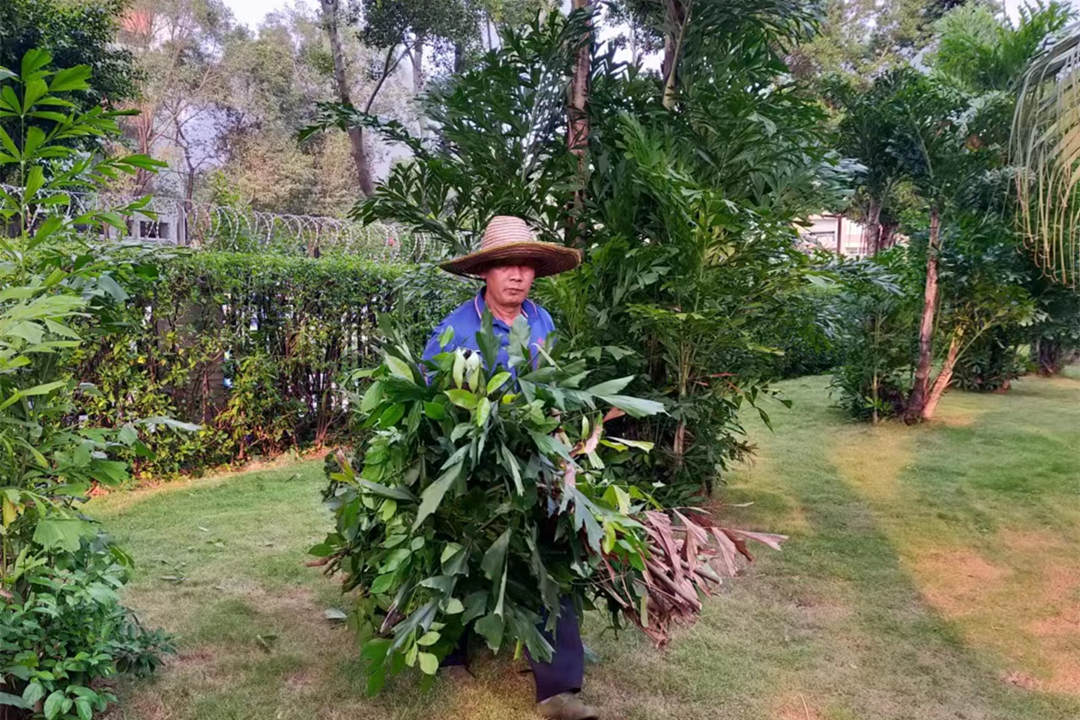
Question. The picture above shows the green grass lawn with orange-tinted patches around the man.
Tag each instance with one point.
(933, 573)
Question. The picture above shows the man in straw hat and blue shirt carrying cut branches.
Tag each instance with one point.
(510, 259)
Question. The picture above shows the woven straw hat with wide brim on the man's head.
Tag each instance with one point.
(508, 240)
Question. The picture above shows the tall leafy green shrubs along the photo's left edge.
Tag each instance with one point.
(62, 627)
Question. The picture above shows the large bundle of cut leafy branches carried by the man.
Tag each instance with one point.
(481, 498)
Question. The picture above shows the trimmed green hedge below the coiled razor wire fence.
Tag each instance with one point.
(250, 347)
